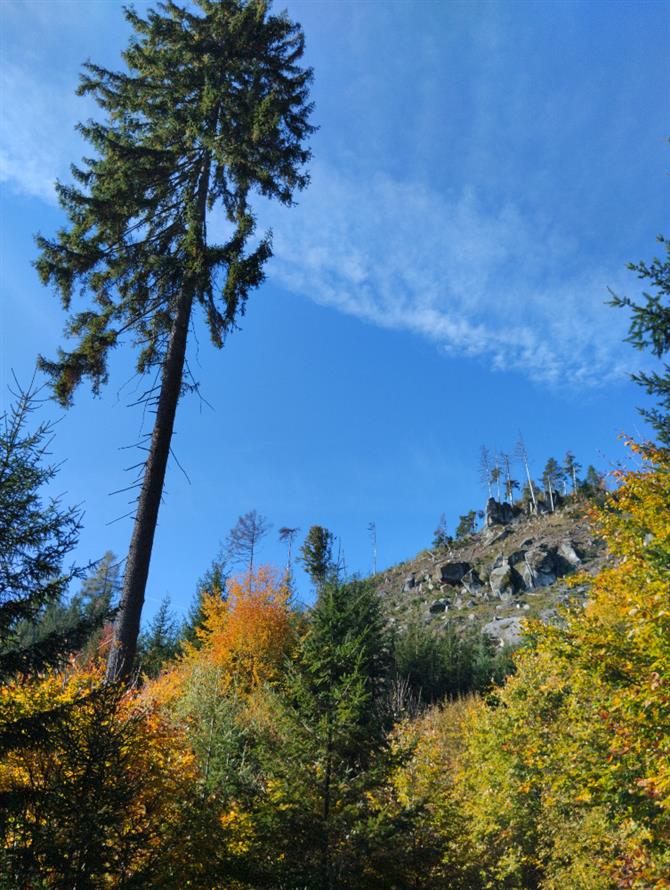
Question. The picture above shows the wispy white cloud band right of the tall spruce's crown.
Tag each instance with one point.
(480, 281)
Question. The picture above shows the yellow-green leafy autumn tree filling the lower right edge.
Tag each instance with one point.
(565, 781)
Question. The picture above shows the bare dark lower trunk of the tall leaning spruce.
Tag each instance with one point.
(127, 625)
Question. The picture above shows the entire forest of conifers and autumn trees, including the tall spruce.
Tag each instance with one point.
(261, 742)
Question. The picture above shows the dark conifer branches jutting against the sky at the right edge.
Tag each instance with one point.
(650, 329)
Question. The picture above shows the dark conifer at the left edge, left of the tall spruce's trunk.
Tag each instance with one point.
(36, 535)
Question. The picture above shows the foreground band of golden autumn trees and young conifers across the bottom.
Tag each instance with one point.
(271, 751)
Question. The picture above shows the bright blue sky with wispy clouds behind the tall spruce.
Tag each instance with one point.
(482, 174)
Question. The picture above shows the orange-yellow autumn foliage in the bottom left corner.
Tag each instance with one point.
(106, 796)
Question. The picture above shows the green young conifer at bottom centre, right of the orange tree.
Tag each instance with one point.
(330, 746)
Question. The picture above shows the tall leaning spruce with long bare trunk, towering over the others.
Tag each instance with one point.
(212, 108)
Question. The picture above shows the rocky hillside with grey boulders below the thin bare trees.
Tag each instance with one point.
(516, 567)
